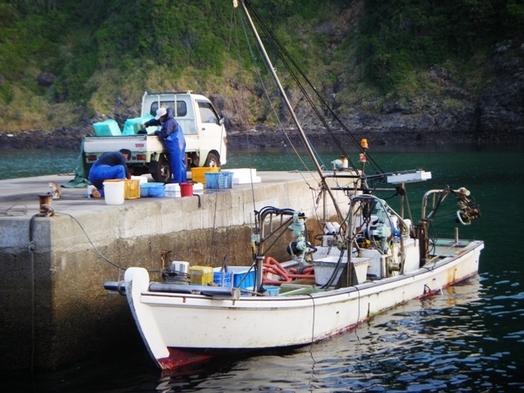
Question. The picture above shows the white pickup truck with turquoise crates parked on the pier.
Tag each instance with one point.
(203, 128)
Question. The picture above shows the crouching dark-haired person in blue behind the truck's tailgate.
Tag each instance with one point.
(110, 165)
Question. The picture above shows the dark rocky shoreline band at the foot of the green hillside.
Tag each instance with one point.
(449, 115)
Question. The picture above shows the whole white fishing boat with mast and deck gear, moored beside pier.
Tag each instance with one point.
(369, 259)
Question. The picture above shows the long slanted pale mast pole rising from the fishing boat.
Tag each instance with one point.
(290, 108)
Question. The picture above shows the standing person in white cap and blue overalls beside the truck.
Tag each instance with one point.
(174, 140)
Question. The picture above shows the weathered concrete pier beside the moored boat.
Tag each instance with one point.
(53, 307)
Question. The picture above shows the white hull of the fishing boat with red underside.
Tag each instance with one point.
(179, 329)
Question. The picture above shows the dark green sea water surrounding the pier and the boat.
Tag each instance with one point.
(470, 338)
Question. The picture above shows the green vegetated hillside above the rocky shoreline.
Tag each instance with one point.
(99, 55)
